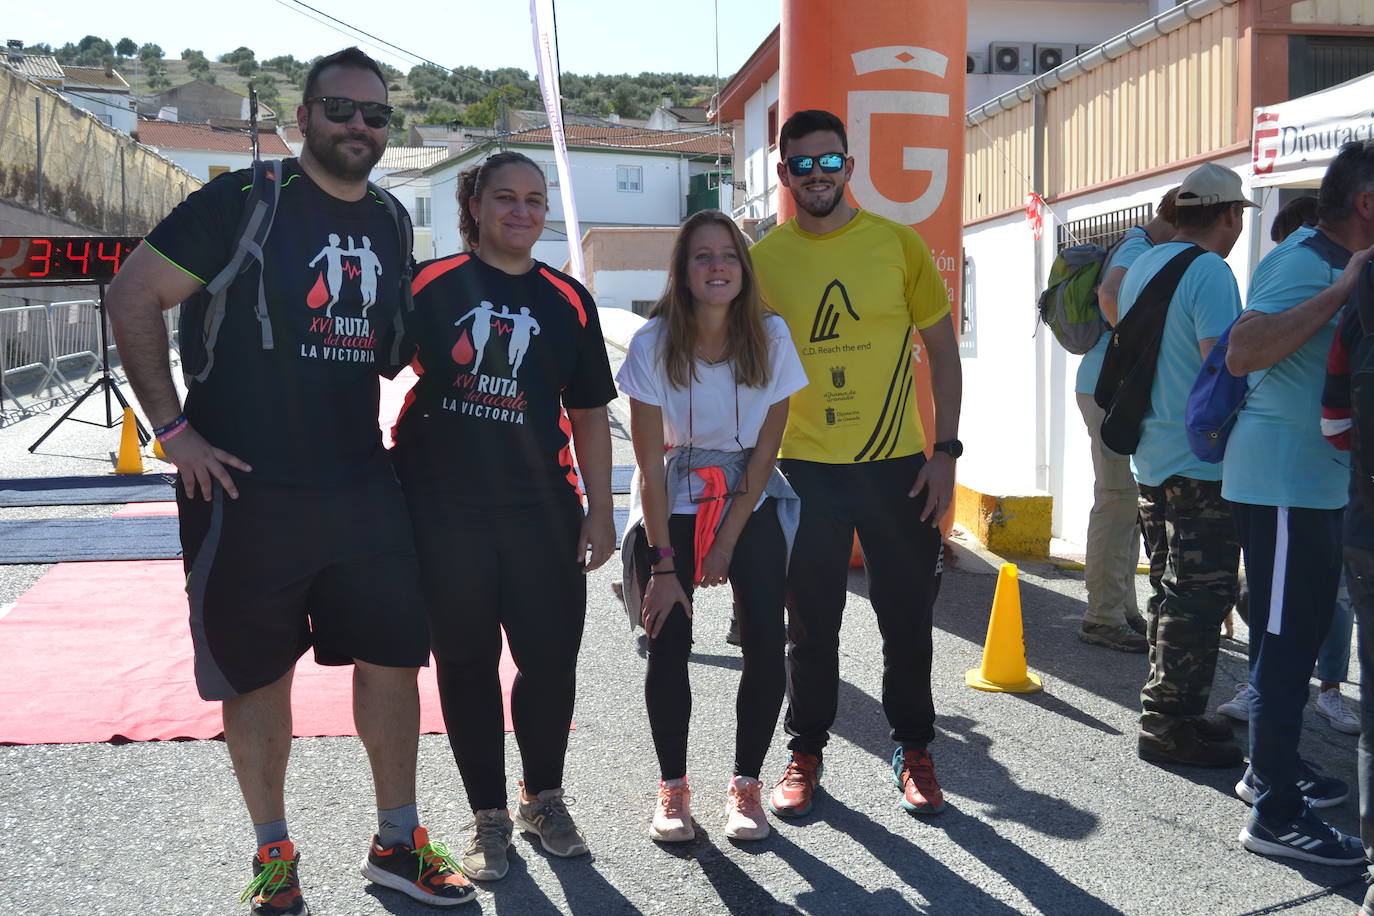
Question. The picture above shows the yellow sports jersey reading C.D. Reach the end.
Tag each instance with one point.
(851, 299)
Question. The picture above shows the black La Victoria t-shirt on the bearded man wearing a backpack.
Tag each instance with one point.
(306, 411)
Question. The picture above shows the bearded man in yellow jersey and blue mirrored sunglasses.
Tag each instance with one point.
(853, 286)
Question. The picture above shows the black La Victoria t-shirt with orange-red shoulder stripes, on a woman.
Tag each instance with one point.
(499, 359)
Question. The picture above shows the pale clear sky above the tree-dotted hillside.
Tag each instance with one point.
(594, 36)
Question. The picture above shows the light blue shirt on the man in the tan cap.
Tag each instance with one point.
(1203, 307)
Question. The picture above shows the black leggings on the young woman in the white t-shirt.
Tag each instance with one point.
(758, 575)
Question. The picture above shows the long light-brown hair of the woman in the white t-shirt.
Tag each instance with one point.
(747, 343)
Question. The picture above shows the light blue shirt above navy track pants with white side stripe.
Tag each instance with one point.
(1277, 455)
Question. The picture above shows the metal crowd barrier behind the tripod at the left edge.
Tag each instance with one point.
(43, 347)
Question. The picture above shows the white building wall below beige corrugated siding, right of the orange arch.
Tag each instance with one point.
(1020, 421)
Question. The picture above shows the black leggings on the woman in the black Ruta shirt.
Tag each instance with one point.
(484, 571)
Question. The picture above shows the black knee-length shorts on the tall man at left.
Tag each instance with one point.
(282, 569)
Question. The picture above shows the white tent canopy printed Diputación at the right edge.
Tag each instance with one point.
(1294, 142)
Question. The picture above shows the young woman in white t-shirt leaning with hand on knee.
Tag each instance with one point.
(708, 378)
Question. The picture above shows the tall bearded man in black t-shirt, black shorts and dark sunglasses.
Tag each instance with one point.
(293, 528)
